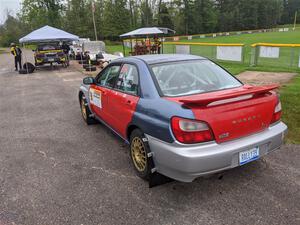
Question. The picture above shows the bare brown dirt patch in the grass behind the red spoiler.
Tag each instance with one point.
(260, 78)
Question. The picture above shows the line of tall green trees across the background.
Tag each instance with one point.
(114, 17)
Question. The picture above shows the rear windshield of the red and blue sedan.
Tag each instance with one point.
(192, 77)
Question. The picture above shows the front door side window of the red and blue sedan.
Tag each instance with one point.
(109, 76)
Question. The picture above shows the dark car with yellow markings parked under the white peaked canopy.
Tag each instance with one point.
(48, 54)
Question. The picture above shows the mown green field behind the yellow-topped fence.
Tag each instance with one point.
(288, 60)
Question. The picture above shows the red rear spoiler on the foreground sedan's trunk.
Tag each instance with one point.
(246, 90)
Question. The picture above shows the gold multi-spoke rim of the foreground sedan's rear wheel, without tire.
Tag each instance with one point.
(138, 154)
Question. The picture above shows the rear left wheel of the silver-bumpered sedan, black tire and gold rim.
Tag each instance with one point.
(139, 151)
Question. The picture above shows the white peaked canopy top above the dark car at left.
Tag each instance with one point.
(47, 34)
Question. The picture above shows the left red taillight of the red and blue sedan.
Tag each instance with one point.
(191, 131)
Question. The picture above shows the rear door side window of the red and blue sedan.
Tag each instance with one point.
(128, 79)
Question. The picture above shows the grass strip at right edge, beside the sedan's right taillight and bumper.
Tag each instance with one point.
(290, 96)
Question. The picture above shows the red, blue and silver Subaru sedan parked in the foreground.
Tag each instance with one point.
(183, 116)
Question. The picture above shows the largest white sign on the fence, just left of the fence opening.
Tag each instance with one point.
(231, 53)
